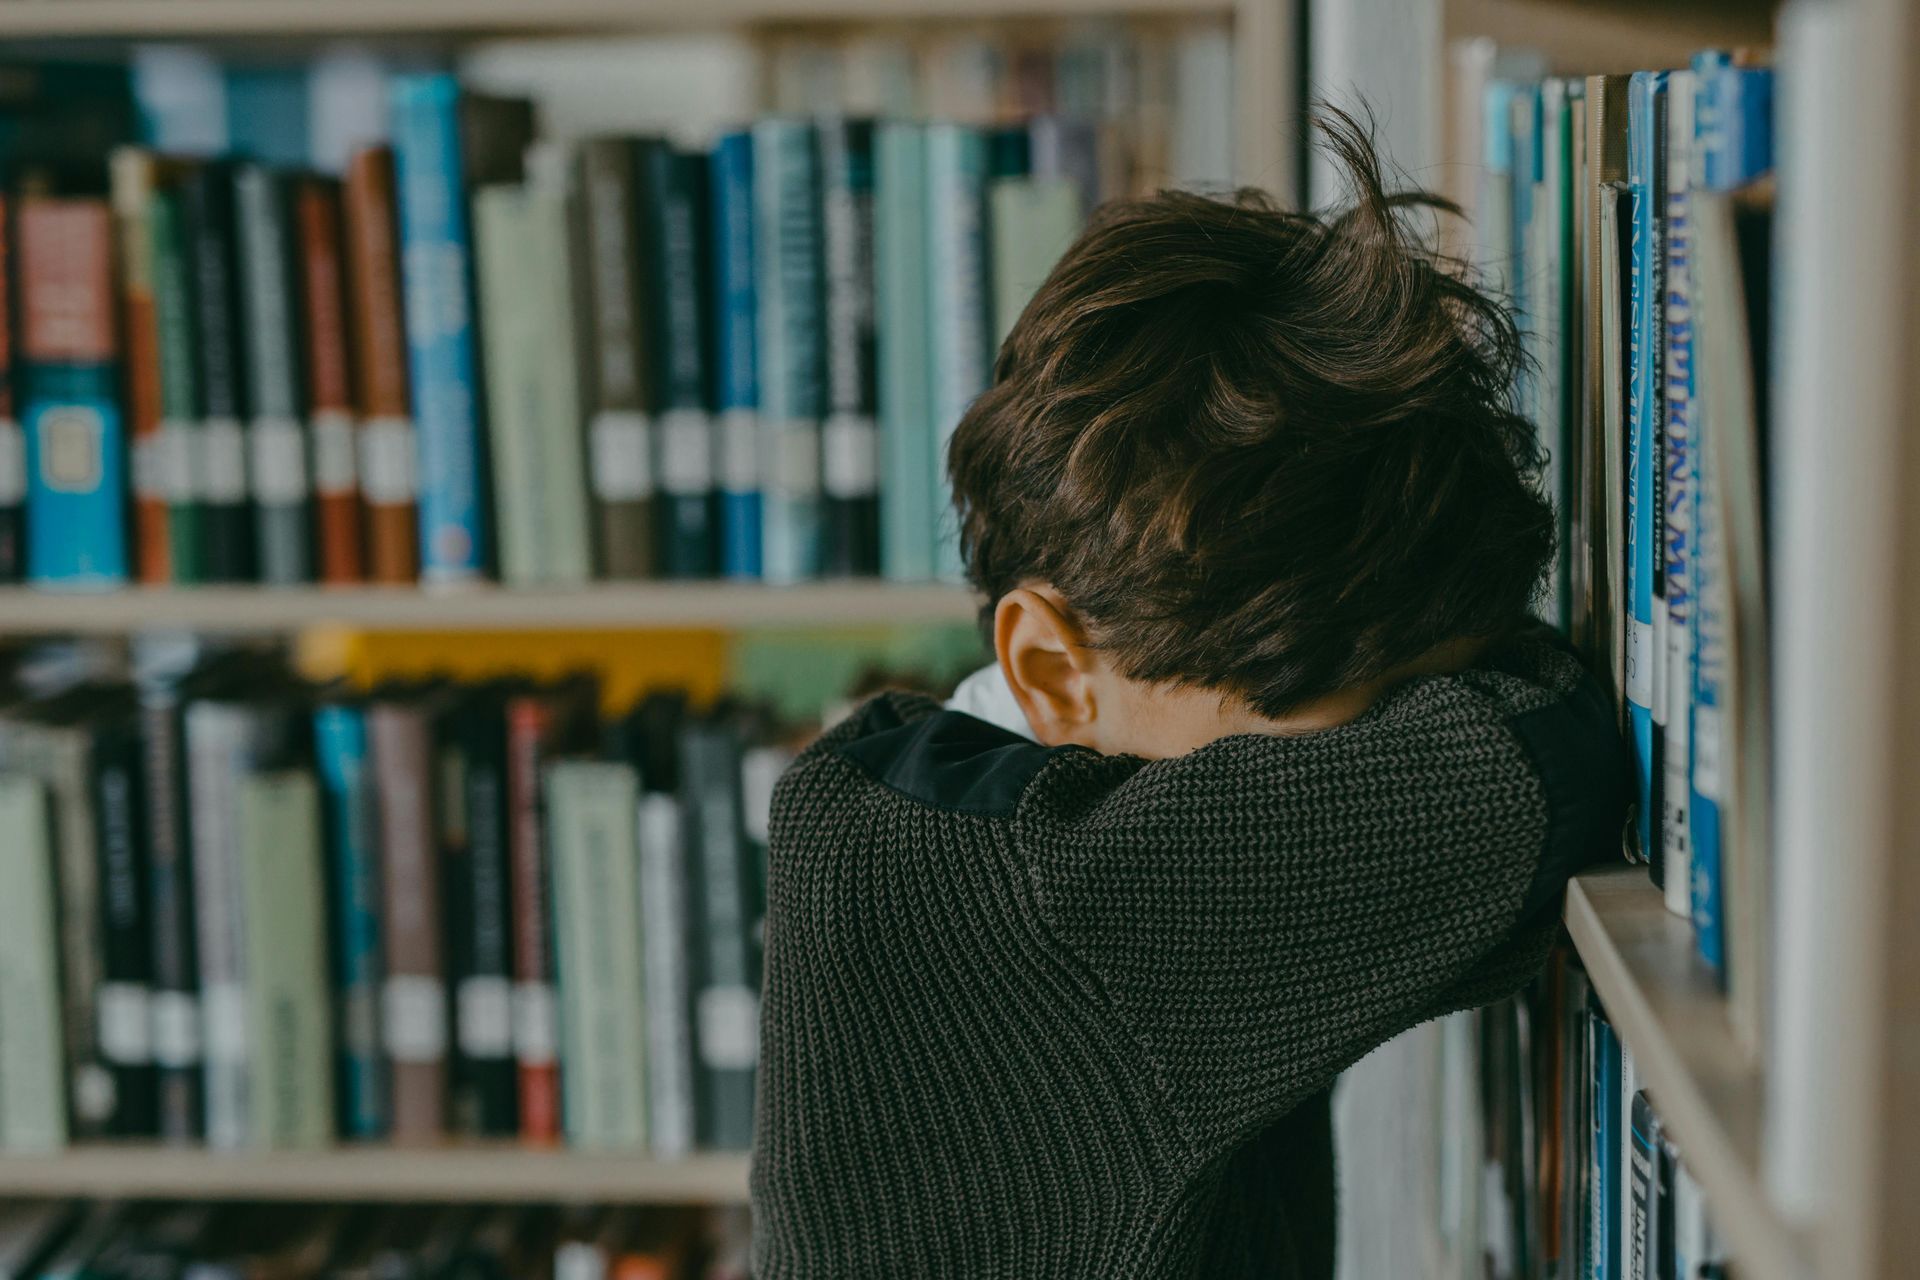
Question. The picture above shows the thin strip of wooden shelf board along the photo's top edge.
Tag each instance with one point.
(224, 18)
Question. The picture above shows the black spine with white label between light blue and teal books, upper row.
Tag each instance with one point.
(850, 439)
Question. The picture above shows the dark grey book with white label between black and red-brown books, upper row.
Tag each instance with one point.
(276, 402)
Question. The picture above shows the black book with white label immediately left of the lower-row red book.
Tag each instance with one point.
(471, 749)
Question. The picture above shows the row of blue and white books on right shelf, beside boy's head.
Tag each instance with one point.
(1629, 218)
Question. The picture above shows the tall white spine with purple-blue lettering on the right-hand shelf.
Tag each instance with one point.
(1679, 506)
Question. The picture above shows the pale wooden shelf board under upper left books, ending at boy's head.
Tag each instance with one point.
(414, 609)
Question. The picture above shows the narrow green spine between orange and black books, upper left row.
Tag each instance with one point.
(180, 392)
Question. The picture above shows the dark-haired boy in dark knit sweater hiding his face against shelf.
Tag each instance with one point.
(1259, 534)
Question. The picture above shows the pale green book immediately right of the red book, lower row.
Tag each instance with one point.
(592, 813)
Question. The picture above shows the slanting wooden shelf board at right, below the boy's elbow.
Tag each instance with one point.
(1706, 1087)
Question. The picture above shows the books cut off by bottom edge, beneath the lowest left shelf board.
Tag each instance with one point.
(53, 1241)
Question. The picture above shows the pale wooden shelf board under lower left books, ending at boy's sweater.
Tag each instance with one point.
(464, 1173)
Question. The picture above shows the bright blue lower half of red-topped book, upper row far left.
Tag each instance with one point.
(76, 477)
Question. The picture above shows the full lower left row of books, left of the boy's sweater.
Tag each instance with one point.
(260, 914)
